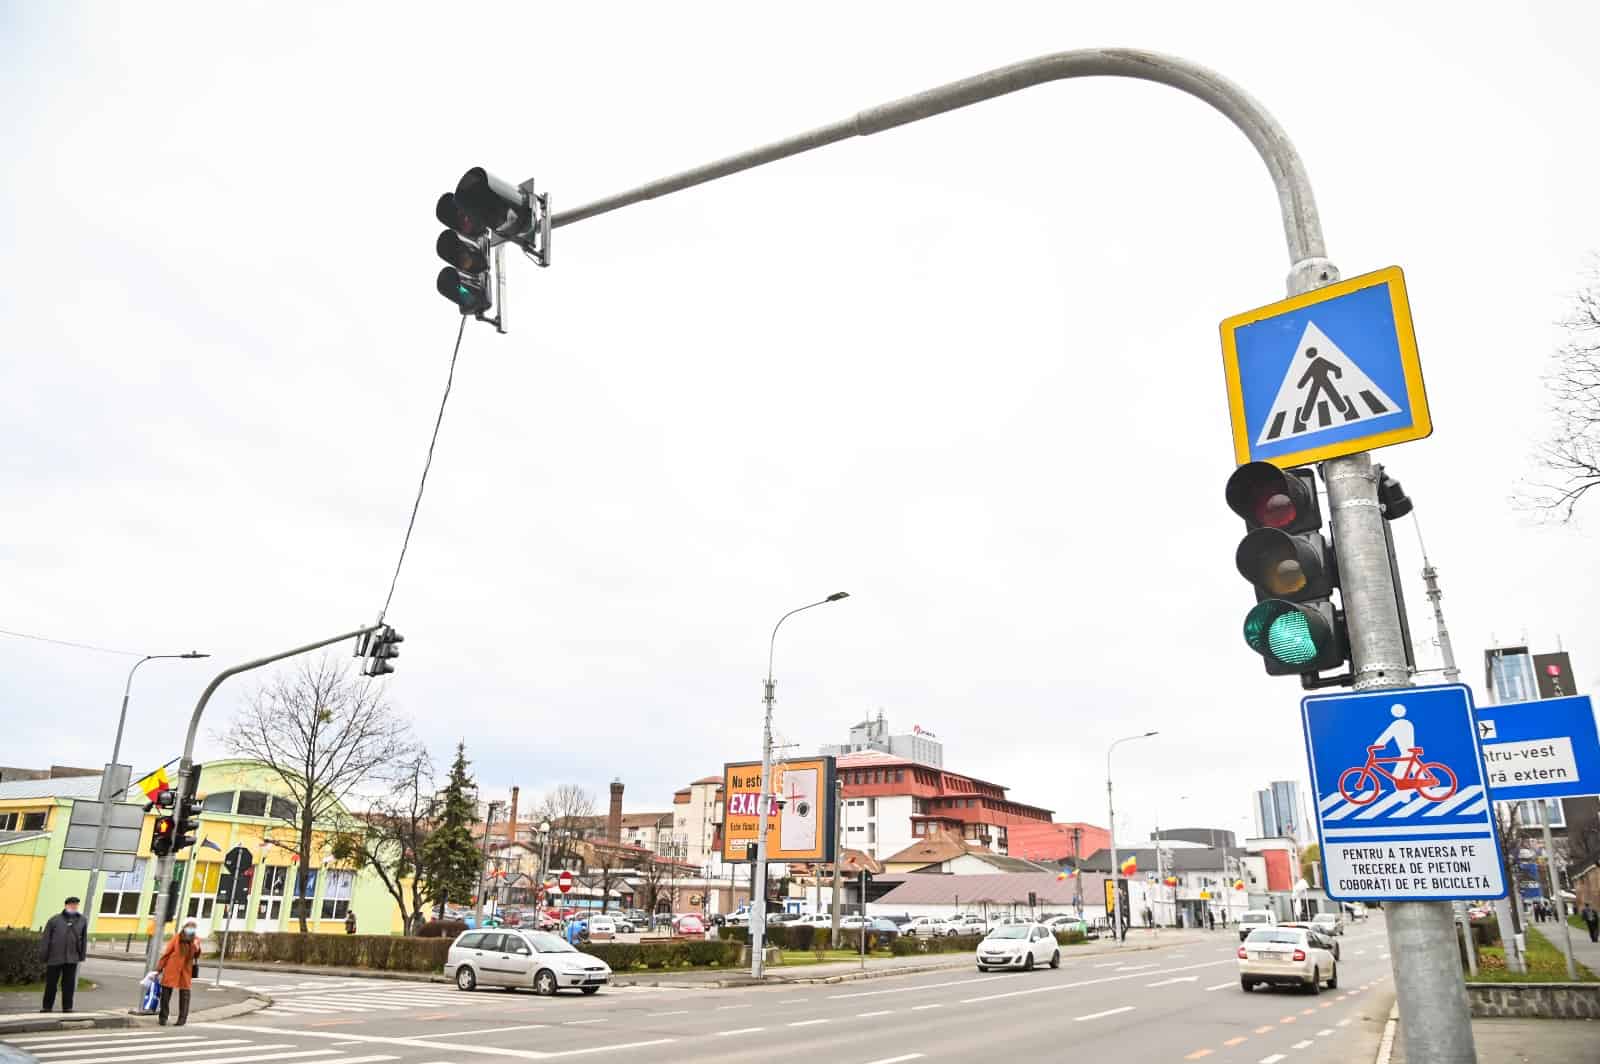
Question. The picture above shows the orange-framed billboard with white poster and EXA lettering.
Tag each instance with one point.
(801, 809)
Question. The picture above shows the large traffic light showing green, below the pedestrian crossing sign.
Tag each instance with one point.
(1295, 625)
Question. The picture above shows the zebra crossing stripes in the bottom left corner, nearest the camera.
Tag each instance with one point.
(177, 1046)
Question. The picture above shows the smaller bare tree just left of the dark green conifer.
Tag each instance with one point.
(390, 836)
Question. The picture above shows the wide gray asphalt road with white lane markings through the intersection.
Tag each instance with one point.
(1170, 1004)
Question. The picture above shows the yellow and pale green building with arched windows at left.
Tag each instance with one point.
(244, 804)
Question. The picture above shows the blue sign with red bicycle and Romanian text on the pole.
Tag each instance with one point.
(1402, 807)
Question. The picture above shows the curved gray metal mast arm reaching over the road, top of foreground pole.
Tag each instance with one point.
(1303, 230)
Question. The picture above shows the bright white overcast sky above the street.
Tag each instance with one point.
(966, 370)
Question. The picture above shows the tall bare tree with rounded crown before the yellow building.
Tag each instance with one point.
(322, 734)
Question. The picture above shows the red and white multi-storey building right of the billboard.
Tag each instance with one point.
(892, 802)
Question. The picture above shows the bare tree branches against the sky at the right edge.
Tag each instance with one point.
(1570, 455)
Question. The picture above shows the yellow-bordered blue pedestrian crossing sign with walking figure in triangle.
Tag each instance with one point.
(1327, 374)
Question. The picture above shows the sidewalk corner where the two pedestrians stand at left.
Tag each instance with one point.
(113, 999)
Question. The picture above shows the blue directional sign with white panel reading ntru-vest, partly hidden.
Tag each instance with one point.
(1545, 750)
